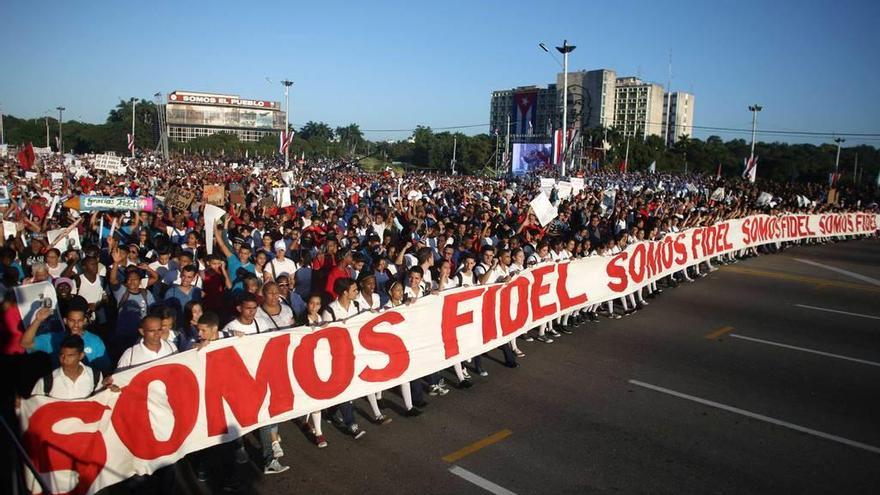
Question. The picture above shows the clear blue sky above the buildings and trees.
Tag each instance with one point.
(813, 65)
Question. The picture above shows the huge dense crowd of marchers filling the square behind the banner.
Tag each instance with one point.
(141, 285)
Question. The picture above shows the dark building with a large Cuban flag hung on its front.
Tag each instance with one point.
(532, 111)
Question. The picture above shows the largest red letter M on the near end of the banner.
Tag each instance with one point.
(227, 379)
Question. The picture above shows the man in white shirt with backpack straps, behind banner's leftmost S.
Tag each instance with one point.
(72, 380)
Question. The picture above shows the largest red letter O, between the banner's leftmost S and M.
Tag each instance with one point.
(131, 415)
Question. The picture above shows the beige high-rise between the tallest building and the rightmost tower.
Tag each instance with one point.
(638, 108)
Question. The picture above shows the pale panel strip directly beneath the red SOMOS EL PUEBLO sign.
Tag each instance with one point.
(202, 115)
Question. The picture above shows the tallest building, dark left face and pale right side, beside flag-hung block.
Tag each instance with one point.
(590, 99)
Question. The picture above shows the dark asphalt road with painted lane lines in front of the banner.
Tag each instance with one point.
(644, 404)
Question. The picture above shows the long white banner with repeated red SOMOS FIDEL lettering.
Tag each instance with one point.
(192, 400)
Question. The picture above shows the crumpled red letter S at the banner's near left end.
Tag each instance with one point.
(83, 453)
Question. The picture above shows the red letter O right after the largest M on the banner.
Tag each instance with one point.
(341, 363)
